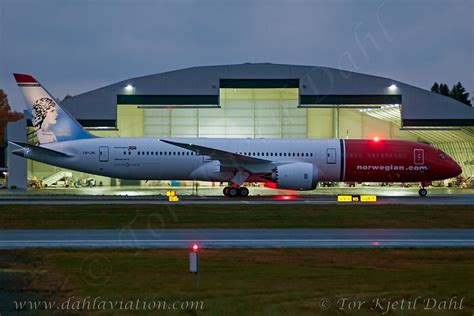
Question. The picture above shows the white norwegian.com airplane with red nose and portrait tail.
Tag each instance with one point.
(294, 164)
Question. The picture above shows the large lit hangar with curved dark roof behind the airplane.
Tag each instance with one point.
(271, 101)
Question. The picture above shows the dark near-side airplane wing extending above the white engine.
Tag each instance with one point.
(226, 158)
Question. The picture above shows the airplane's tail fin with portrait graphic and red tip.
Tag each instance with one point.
(51, 123)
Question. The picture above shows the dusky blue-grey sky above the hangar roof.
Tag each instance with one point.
(76, 46)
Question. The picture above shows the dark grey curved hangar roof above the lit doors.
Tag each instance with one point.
(317, 85)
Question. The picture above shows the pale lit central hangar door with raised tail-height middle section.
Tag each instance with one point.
(255, 108)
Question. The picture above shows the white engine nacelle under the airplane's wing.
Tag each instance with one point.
(296, 176)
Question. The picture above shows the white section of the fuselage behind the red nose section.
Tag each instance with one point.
(153, 159)
